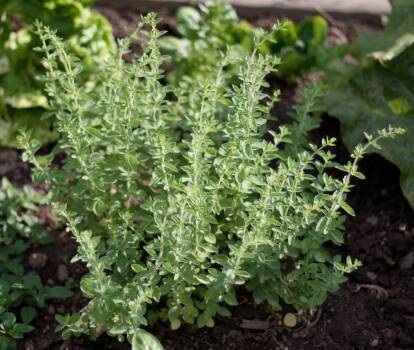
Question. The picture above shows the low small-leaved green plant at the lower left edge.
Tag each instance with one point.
(20, 292)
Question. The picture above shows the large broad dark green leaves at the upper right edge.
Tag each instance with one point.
(378, 89)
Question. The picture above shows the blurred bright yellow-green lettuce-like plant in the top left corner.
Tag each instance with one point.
(22, 99)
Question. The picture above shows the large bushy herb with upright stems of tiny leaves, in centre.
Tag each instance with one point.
(175, 198)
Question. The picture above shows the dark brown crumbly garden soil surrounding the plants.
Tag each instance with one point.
(374, 309)
